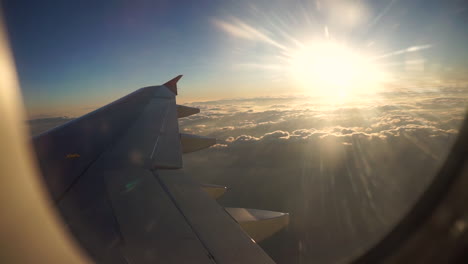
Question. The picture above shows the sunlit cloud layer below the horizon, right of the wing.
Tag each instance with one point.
(346, 172)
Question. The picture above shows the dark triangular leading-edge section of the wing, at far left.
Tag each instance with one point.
(65, 152)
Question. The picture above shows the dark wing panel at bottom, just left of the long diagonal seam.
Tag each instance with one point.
(153, 229)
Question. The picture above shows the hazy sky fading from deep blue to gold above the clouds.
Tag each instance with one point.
(75, 56)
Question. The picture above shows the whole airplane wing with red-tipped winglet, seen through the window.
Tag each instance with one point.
(116, 178)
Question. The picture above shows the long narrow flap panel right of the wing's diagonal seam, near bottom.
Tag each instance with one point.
(217, 230)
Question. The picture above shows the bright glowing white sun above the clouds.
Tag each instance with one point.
(331, 69)
